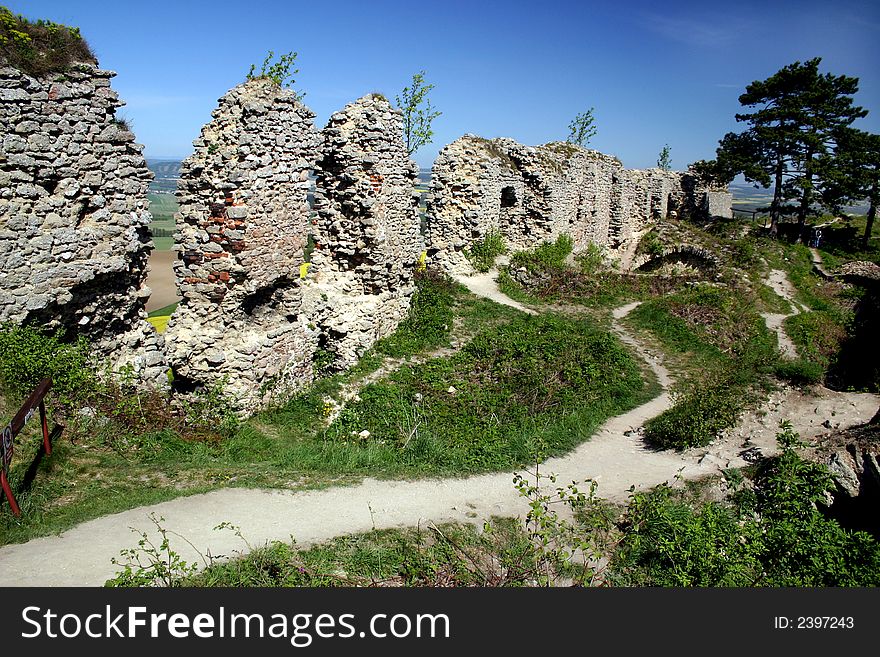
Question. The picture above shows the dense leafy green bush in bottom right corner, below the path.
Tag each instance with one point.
(773, 535)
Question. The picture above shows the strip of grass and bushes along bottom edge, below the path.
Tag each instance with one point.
(767, 530)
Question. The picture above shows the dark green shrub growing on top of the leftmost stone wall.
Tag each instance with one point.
(40, 47)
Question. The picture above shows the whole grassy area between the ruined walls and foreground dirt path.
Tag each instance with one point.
(144, 453)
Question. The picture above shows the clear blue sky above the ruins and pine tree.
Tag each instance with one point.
(656, 72)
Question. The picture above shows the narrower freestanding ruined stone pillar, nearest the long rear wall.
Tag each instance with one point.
(367, 239)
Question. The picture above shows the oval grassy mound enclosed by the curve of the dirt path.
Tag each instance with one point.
(533, 385)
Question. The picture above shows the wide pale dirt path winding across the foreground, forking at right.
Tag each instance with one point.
(616, 458)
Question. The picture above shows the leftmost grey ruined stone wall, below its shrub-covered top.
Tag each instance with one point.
(74, 240)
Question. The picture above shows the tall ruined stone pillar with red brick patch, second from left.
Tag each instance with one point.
(242, 228)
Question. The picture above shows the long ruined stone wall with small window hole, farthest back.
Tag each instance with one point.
(532, 194)
